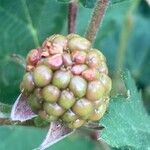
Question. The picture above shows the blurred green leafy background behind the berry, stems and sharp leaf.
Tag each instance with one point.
(124, 38)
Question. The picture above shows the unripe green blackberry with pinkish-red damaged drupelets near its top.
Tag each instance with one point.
(67, 80)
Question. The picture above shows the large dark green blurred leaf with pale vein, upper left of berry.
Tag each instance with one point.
(24, 25)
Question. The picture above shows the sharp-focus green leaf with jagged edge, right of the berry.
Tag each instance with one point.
(127, 124)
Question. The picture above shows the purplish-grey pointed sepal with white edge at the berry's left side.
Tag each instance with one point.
(21, 110)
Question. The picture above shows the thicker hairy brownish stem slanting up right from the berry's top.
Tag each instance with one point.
(96, 20)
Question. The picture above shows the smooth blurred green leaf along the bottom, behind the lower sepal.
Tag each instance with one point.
(27, 138)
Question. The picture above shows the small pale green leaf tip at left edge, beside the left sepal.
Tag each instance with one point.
(5, 110)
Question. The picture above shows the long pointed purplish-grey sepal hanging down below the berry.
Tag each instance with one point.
(56, 132)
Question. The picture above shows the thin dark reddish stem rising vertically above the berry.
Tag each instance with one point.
(72, 11)
